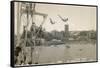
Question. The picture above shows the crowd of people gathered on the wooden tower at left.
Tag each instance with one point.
(28, 39)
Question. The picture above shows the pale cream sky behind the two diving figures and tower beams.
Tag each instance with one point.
(79, 17)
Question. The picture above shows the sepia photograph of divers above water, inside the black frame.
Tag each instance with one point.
(49, 33)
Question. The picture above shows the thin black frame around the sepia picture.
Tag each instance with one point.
(12, 64)
